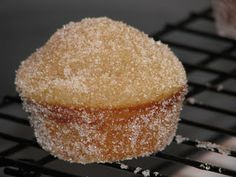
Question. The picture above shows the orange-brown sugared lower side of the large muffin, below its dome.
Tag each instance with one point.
(119, 133)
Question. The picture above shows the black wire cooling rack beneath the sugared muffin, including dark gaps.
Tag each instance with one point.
(211, 119)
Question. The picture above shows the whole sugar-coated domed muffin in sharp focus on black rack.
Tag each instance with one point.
(102, 91)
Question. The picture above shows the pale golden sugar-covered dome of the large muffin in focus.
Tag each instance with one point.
(100, 63)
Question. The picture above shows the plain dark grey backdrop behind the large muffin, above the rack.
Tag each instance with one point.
(27, 24)
